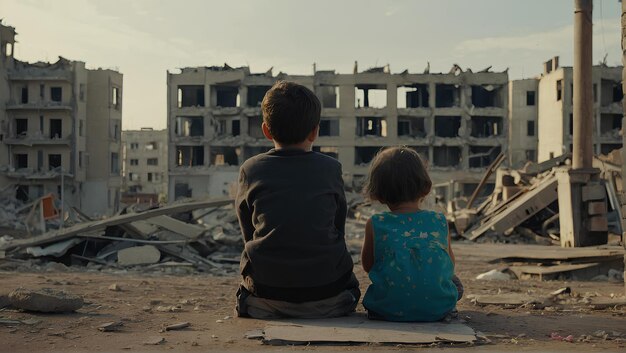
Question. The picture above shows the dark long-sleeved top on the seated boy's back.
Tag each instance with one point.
(292, 210)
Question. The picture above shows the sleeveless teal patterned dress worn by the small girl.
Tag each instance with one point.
(412, 272)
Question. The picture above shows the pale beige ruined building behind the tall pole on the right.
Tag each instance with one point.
(555, 115)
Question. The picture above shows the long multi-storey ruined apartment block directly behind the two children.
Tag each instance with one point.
(457, 121)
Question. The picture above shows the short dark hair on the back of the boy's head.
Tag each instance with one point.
(290, 111)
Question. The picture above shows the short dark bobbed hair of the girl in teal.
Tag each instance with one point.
(397, 175)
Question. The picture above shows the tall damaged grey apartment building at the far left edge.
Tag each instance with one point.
(60, 130)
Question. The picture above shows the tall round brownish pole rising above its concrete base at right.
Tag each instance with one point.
(583, 95)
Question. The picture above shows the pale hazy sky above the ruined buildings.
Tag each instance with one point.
(145, 38)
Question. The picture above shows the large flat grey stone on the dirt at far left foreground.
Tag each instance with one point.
(45, 300)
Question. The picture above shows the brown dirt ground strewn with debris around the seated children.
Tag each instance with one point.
(206, 302)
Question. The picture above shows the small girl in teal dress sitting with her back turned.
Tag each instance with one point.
(406, 251)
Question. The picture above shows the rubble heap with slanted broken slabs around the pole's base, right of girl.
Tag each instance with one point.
(523, 207)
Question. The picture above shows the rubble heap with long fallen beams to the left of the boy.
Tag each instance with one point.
(196, 235)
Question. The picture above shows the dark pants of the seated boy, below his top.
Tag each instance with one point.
(249, 305)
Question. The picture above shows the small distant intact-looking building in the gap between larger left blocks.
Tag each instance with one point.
(145, 165)
